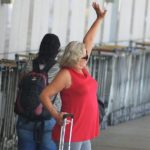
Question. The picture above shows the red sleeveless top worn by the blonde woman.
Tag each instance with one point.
(80, 99)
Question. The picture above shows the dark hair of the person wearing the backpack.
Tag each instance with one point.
(48, 50)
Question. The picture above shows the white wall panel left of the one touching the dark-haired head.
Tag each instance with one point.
(19, 26)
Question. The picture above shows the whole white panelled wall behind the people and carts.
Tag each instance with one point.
(70, 20)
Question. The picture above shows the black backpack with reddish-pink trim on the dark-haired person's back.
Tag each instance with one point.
(27, 103)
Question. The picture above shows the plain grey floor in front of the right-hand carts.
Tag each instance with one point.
(132, 135)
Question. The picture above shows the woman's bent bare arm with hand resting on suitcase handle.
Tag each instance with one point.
(60, 82)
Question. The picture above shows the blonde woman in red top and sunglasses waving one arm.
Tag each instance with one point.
(78, 90)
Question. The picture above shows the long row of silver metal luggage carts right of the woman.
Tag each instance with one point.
(123, 75)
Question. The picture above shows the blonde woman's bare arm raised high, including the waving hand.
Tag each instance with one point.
(90, 35)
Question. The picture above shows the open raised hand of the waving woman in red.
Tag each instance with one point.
(99, 11)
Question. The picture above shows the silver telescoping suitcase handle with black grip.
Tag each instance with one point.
(63, 129)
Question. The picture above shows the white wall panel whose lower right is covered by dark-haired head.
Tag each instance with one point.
(40, 22)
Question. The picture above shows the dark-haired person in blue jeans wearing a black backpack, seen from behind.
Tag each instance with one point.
(34, 124)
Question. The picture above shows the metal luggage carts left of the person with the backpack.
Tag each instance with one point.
(10, 71)
